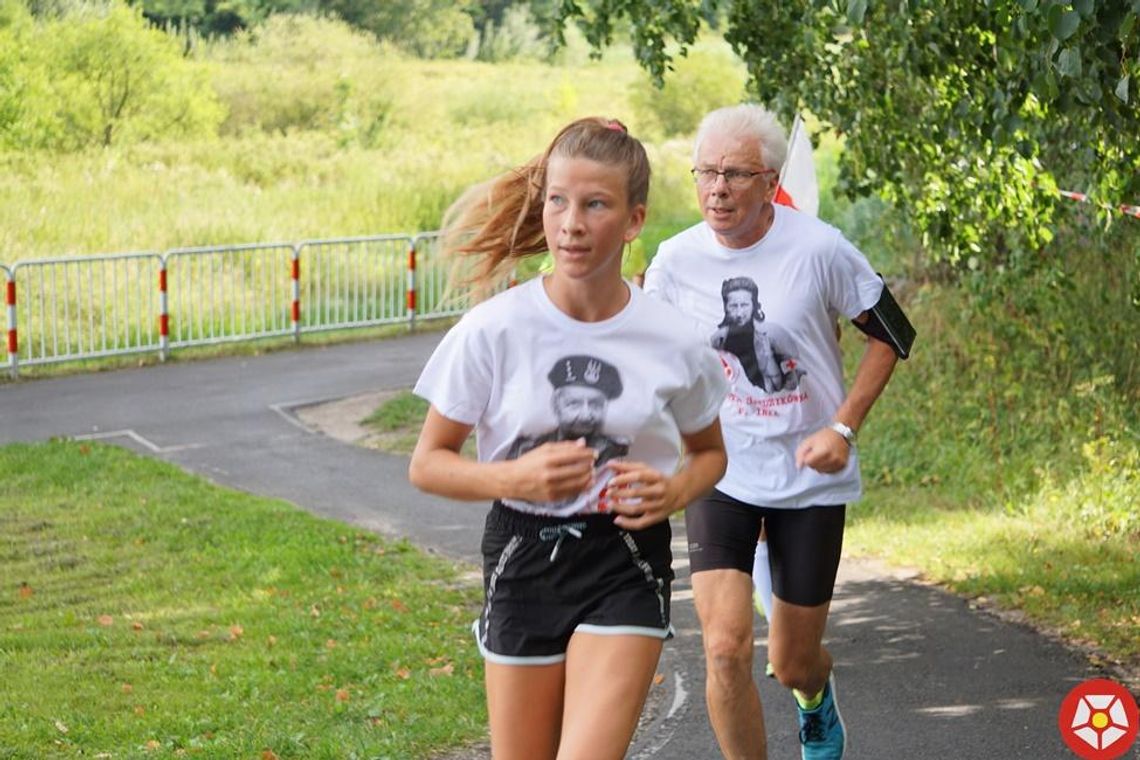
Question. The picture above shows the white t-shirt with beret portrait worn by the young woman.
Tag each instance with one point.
(524, 373)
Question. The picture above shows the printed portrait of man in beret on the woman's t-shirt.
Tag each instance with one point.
(583, 389)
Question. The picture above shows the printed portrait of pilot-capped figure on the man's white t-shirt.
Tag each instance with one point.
(767, 353)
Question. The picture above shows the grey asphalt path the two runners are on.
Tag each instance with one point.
(921, 673)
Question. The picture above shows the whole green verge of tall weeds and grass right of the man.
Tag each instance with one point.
(1004, 460)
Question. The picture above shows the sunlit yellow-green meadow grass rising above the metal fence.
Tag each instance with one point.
(451, 127)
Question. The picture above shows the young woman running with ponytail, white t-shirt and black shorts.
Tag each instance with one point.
(596, 414)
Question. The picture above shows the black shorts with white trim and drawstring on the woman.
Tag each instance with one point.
(547, 578)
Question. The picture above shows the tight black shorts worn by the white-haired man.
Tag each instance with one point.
(804, 544)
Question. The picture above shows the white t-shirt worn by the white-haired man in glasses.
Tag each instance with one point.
(784, 364)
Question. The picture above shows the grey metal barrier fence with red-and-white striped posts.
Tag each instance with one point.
(91, 307)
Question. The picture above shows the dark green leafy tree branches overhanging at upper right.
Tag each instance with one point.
(965, 113)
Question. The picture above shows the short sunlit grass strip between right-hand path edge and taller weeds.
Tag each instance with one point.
(1041, 557)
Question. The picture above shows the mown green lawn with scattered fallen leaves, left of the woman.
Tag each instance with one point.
(144, 611)
